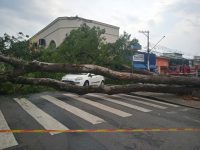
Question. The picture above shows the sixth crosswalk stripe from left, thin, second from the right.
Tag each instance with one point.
(142, 102)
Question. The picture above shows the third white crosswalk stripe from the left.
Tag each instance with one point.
(76, 111)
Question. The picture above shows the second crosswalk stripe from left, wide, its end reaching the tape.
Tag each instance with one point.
(47, 121)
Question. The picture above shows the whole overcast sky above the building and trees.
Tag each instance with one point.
(178, 20)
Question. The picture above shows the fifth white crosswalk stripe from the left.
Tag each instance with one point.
(121, 103)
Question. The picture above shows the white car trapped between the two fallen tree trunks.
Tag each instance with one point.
(84, 79)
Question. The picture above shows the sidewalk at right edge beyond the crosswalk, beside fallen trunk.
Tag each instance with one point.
(171, 98)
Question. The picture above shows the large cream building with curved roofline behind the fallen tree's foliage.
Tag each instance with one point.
(57, 30)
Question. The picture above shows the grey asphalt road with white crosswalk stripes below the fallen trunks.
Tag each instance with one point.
(94, 111)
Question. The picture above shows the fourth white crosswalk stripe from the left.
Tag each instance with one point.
(99, 105)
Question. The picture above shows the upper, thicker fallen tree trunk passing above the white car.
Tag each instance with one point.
(22, 67)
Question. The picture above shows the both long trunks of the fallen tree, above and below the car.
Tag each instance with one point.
(179, 85)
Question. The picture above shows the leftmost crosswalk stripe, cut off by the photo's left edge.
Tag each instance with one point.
(6, 139)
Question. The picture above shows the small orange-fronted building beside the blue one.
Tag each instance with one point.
(162, 64)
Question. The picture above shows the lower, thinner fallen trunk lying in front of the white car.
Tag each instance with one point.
(114, 89)
